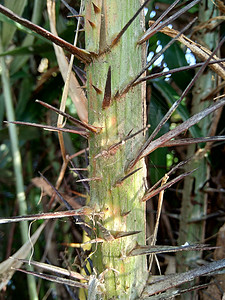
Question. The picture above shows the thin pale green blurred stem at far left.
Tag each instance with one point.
(16, 164)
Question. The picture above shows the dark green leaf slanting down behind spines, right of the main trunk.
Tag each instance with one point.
(171, 96)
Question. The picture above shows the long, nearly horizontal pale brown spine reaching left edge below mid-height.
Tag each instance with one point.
(84, 211)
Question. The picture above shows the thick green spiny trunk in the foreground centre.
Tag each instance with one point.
(110, 70)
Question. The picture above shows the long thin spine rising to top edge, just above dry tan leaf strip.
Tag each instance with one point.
(152, 30)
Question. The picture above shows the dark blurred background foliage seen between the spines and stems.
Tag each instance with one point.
(34, 74)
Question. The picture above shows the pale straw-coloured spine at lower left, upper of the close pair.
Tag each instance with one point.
(54, 269)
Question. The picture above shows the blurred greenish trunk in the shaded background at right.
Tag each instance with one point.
(194, 200)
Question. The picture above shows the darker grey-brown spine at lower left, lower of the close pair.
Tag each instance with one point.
(55, 279)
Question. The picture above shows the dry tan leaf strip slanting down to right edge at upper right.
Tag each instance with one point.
(201, 52)
